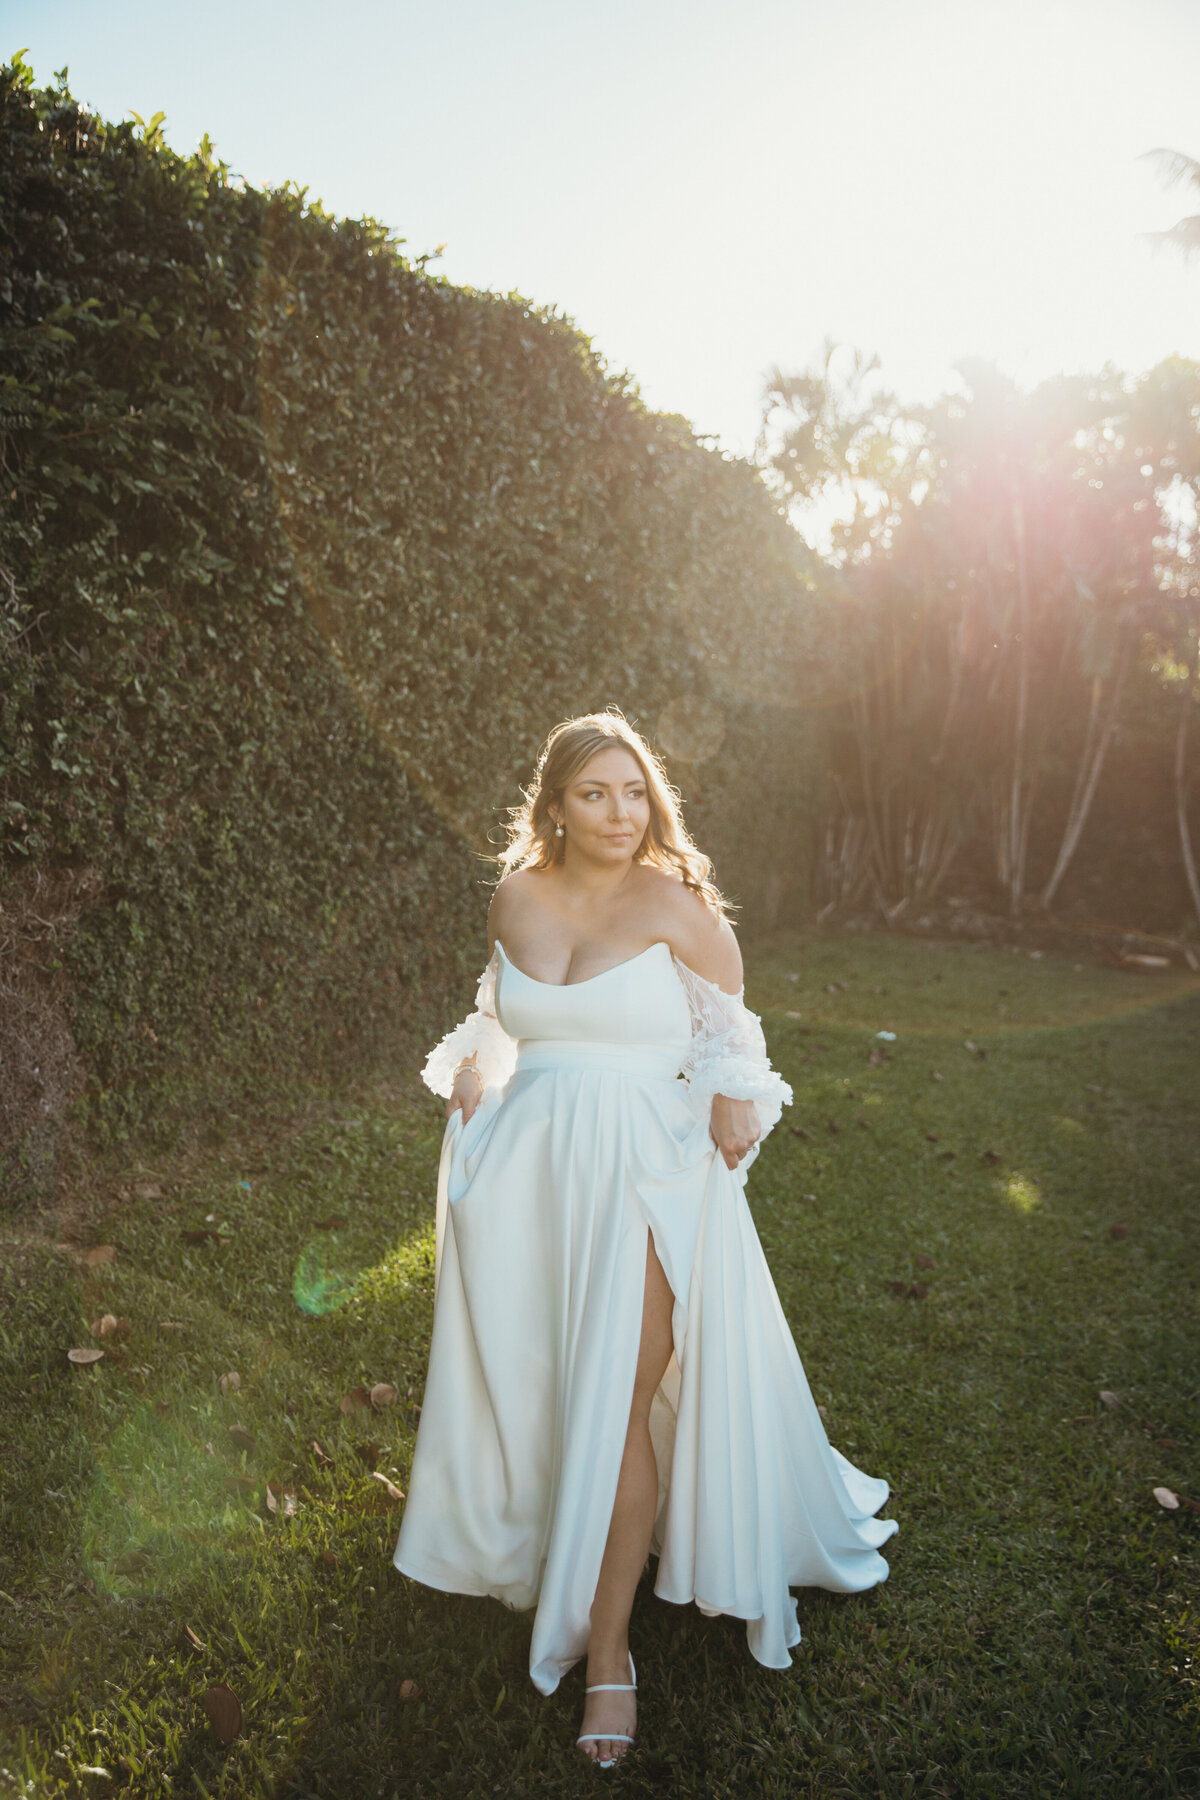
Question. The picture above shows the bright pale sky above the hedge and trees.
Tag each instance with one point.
(713, 188)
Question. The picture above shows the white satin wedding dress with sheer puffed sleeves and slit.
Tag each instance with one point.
(595, 1131)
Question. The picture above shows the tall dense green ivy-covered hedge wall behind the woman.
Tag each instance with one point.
(303, 553)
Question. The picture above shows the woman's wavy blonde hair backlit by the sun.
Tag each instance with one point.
(573, 744)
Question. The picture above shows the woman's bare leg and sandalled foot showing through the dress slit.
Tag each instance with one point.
(632, 1522)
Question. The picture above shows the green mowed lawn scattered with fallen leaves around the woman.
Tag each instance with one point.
(980, 1230)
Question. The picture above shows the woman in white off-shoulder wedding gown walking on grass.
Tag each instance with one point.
(611, 1371)
